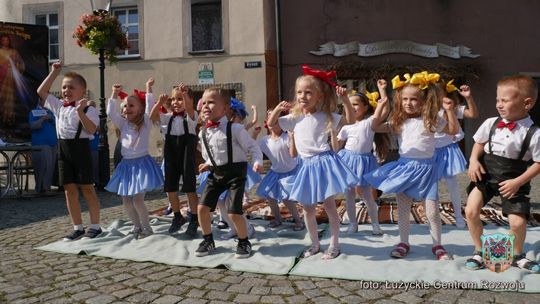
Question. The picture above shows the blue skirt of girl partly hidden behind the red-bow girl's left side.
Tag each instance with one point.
(277, 186)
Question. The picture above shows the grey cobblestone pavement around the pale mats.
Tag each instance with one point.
(33, 276)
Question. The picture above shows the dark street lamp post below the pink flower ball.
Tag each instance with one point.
(103, 147)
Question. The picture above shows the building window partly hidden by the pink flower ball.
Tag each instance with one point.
(129, 18)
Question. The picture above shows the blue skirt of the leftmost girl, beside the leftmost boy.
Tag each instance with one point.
(136, 175)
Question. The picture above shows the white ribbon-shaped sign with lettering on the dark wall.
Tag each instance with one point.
(394, 46)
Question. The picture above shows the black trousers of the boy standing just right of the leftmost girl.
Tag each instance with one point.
(179, 161)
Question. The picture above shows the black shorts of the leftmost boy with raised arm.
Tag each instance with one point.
(75, 162)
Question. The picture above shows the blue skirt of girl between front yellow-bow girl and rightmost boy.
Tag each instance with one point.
(449, 161)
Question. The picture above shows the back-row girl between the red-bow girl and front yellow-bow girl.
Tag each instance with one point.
(356, 144)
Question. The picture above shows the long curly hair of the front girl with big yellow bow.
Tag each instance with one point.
(431, 104)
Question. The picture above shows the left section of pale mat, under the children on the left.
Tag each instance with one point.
(274, 250)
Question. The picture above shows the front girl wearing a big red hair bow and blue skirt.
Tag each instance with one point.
(321, 174)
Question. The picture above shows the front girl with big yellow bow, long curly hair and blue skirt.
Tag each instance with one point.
(414, 121)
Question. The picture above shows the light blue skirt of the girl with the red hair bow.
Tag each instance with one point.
(320, 177)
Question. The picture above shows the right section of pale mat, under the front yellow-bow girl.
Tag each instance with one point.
(366, 257)
